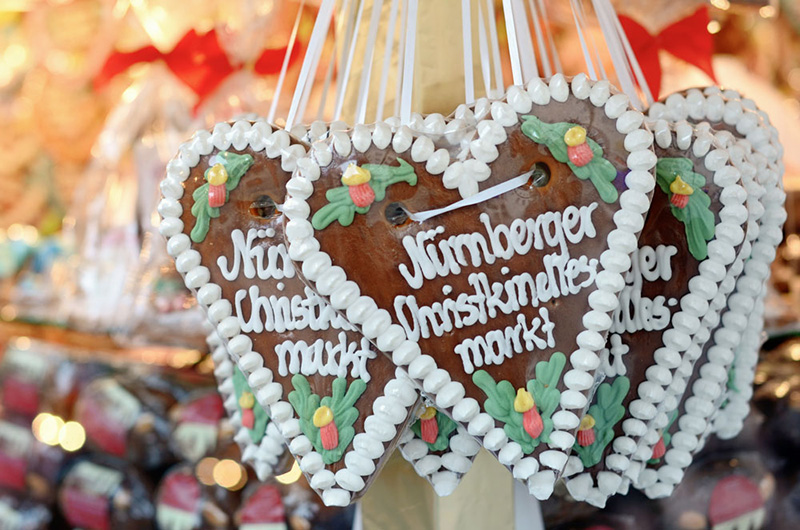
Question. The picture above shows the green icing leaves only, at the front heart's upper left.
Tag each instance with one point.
(340, 205)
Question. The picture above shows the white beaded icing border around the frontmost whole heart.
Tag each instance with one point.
(377, 324)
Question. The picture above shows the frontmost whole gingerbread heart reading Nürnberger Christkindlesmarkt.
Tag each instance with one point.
(485, 275)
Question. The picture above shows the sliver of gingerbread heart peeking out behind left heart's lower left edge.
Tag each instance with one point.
(258, 438)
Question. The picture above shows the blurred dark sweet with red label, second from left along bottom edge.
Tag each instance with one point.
(103, 493)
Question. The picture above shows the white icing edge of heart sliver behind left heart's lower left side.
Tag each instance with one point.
(263, 457)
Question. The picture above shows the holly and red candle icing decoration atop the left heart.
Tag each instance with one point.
(221, 177)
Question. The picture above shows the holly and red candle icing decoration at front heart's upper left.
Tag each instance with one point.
(361, 187)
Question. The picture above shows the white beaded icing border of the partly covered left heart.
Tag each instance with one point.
(389, 410)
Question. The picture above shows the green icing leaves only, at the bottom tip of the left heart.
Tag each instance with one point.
(341, 402)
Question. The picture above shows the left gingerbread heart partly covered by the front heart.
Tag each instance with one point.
(338, 404)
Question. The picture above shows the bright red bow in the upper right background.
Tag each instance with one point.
(687, 39)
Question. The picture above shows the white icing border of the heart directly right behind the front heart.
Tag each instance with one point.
(640, 429)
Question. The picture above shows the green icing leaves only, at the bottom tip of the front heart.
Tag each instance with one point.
(500, 400)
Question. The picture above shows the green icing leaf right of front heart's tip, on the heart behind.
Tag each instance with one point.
(607, 411)
